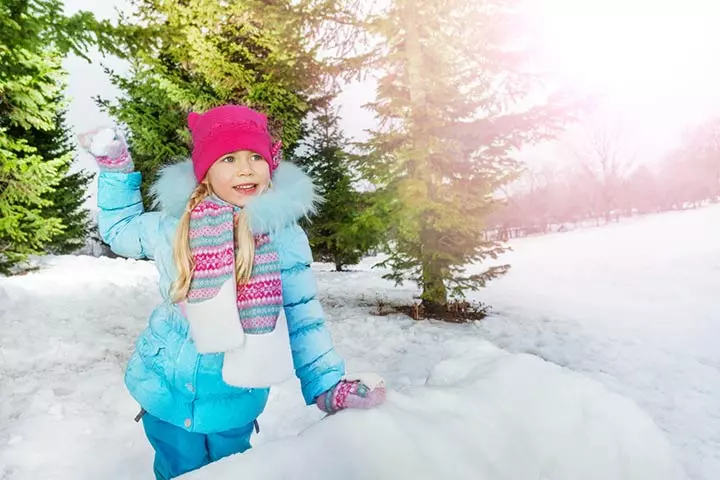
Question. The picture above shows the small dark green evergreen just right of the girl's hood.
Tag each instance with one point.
(339, 233)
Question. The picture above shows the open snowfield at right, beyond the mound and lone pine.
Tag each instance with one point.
(634, 305)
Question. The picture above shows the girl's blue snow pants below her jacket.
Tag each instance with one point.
(178, 451)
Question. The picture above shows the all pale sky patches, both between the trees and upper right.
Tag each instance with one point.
(654, 61)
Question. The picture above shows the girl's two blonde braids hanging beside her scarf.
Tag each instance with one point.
(244, 246)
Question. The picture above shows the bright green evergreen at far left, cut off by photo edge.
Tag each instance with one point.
(34, 36)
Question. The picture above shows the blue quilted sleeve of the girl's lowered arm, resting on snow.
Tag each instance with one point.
(317, 364)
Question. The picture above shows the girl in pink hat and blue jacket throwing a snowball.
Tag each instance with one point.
(240, 308)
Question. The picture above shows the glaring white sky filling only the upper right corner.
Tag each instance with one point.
(654, 61)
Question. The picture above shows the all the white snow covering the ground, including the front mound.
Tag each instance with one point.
(628, 312)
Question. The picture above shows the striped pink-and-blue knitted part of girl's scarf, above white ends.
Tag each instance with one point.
(212, 244)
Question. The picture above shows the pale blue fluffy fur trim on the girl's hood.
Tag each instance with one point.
(291, 197)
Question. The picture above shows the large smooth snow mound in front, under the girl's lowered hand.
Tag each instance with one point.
(490, 415)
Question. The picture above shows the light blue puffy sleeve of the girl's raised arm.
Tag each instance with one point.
(122, 221)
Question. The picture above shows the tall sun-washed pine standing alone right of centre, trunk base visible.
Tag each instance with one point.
(450, 103)
